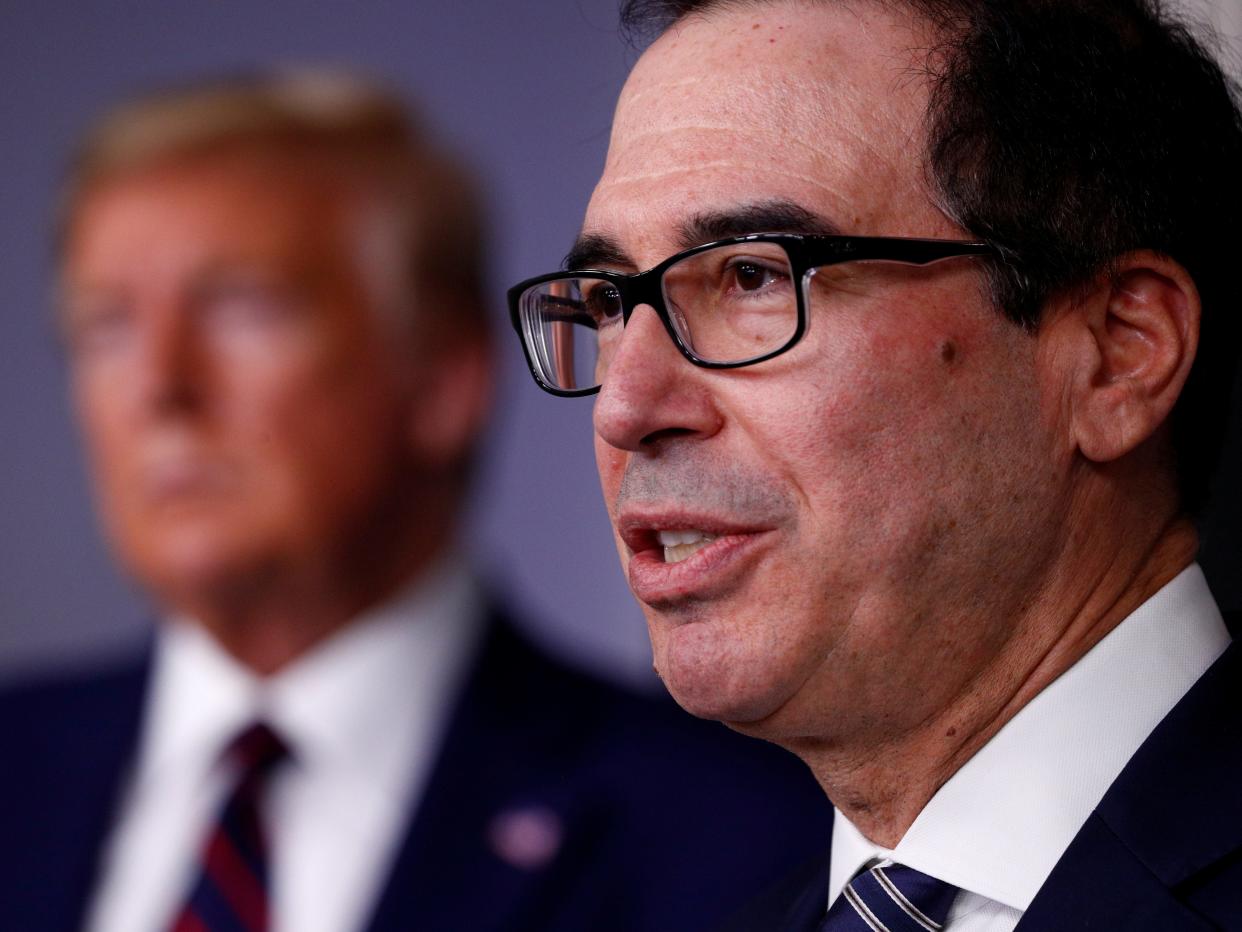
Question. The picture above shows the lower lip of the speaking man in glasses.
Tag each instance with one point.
(707, 572)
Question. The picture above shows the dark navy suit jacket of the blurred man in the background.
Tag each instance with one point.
(668, 823)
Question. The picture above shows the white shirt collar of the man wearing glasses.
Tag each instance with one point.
(1002, 822)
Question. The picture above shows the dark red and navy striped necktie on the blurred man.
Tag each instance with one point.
(230, 893)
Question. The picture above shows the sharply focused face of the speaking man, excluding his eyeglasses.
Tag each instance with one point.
(834, 542)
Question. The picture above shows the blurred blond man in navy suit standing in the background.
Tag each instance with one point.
(271, 299)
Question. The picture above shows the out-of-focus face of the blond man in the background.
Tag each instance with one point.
(240, 393)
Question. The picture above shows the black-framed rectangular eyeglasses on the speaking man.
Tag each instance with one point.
(727, 304)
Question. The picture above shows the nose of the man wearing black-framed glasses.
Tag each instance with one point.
(651, 393)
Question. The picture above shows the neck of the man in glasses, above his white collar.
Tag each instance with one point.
(882, 790)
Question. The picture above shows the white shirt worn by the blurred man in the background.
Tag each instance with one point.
(363, 716)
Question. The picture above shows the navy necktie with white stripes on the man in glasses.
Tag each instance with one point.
(891, 899)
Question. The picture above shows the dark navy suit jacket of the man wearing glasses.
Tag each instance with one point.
(1162, 853)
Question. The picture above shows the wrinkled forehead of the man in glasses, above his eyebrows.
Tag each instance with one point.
(822, 105)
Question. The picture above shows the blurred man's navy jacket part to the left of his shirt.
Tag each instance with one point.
(59, 806)
